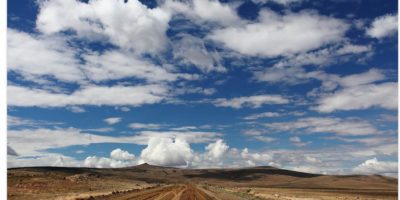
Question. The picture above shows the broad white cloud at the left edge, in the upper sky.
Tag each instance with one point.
(35, 56)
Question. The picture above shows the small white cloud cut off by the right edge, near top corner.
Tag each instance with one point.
(383, 26)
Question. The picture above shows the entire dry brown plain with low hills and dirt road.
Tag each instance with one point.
(154, 182)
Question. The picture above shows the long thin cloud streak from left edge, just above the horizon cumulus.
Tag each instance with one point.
(31, 142)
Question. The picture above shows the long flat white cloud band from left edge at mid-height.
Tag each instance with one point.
(89, 95)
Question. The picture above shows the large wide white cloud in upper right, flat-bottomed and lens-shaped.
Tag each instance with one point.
(273, 35)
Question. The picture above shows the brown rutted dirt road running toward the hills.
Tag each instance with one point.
(174, 192)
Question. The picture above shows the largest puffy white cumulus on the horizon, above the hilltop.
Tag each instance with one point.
(167, 152)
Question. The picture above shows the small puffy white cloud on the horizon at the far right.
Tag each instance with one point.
(374, 166)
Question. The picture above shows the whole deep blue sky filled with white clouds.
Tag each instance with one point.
(296, 84)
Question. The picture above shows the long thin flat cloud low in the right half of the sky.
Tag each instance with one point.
(338, 126)
